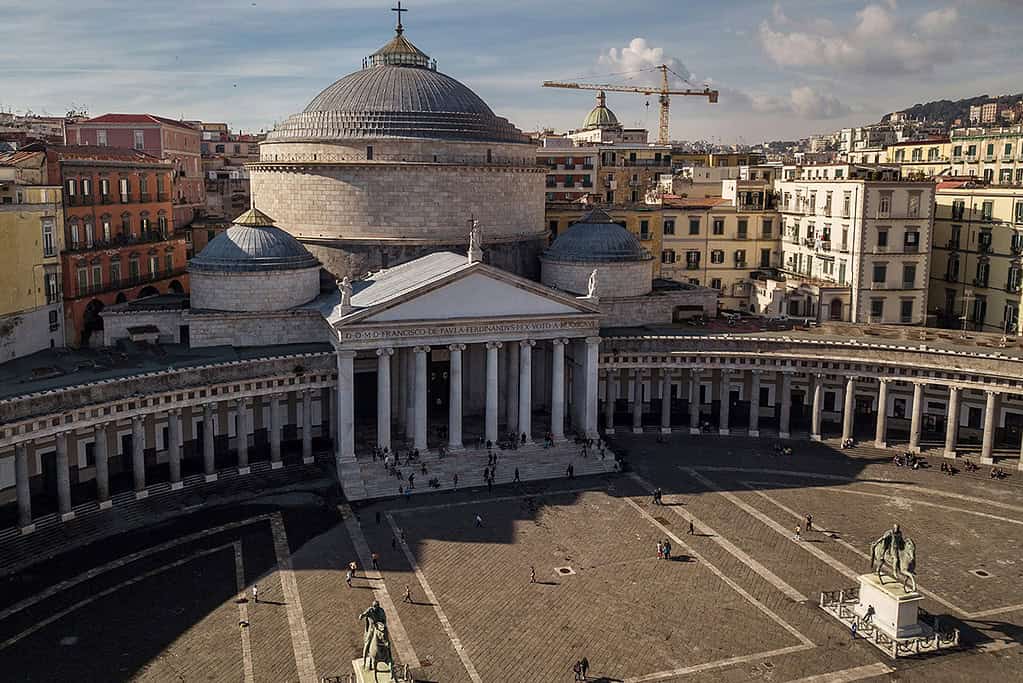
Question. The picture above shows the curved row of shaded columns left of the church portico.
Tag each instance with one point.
(105, 433)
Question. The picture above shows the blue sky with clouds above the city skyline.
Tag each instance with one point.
(785, 70)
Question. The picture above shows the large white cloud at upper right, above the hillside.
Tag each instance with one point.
(880, 41)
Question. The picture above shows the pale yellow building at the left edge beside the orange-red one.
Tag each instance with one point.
(31, 221)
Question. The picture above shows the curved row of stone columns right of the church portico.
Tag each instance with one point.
(851, 386)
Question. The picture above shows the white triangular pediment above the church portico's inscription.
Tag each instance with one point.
(476, 295)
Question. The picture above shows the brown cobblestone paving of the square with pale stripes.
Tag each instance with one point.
(725, 612)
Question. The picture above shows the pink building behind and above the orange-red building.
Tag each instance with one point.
(171, 141)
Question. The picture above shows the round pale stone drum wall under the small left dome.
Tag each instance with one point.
(268, 291)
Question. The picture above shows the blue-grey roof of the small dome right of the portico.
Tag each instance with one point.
(597, 239)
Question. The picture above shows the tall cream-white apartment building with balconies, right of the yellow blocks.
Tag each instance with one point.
(862, 238)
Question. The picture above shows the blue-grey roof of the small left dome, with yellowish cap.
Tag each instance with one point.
(253, 244)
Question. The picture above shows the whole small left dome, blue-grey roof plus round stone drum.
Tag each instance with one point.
(253, 266)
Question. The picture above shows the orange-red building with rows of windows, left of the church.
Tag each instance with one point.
(119, 243)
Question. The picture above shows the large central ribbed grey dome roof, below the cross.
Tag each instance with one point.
(398, 94)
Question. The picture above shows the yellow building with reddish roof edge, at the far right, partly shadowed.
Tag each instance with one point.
(976, 258)
